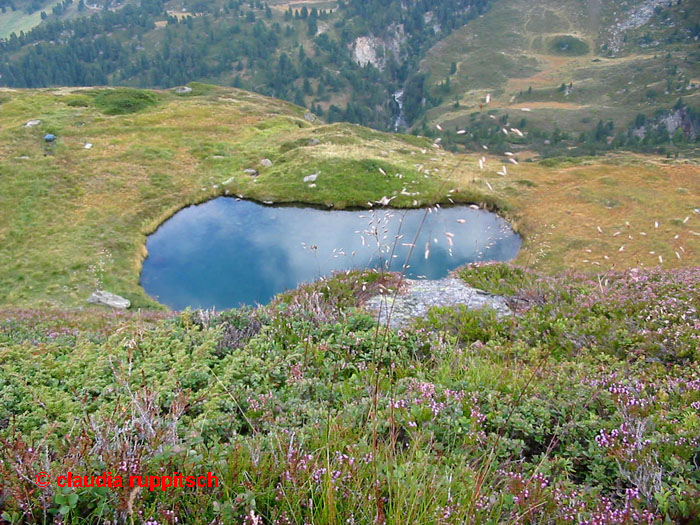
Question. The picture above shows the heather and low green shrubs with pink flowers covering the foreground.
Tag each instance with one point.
(584, 406)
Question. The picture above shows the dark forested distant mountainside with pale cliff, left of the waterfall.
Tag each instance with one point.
(316, 54)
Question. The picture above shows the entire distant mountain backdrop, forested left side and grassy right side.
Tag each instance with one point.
(586, 69)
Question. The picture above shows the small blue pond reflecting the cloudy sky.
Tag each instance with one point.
(228, 252)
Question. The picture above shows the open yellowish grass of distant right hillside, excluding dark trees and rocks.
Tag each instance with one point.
(509, 49)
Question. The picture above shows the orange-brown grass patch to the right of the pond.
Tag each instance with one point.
(561, 207)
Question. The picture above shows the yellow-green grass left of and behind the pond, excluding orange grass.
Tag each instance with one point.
(66, 210)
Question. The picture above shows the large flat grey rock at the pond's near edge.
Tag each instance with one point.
(418, 296)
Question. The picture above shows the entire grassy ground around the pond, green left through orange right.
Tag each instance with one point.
(69, 215)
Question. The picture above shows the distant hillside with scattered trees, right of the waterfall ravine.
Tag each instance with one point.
(573, 75)
